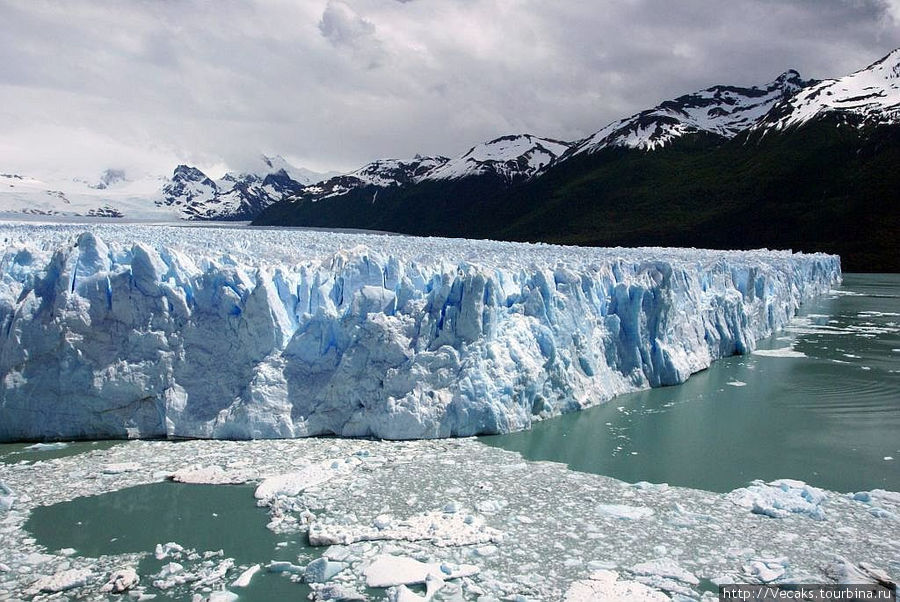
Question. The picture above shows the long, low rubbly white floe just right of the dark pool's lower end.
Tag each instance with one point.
(440, 528)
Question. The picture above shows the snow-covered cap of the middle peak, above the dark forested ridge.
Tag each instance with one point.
(511, 158)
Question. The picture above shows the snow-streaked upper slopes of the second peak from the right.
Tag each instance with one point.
(721, 110)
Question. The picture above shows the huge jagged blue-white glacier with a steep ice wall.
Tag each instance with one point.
(128, 330)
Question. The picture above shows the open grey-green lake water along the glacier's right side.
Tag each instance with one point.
(830, 418)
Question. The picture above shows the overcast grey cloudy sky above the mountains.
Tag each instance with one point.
(333, 84)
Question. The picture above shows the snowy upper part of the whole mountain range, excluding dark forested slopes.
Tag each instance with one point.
(871, 95)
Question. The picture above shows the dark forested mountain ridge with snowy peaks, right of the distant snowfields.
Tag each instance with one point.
(812, 188)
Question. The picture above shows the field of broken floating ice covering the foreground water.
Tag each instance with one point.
(446, 520)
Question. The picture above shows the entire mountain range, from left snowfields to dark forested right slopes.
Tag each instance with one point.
(805, 164)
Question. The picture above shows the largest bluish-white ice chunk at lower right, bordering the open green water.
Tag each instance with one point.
(781, 498)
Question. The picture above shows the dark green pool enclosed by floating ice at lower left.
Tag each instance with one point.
(203, 517)
